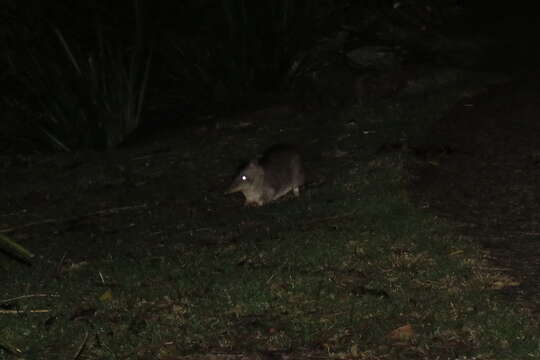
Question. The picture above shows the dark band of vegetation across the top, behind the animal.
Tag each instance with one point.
(78, 76)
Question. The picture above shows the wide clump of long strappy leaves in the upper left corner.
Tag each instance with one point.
(78, 93)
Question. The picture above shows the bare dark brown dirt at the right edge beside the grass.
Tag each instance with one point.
(487, 182)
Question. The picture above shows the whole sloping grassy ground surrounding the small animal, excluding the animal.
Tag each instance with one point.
(351, 269)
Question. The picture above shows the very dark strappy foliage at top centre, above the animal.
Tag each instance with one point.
(242, 47)
